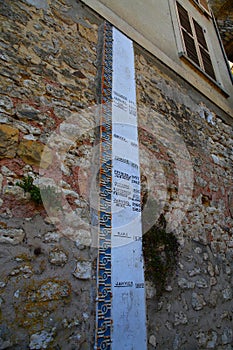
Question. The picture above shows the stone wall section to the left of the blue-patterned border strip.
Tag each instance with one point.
(48, 70)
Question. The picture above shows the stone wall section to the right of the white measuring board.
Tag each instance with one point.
(195, 310)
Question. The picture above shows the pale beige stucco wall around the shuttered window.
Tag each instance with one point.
(154, 25)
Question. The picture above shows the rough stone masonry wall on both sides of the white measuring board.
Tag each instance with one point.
(49, 70)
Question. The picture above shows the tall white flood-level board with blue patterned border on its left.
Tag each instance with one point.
(121, 314)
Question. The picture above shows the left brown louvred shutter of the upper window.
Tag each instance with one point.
(187, 34)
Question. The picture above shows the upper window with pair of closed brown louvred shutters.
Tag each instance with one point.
(194, 41)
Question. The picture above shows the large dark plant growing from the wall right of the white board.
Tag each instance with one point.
(160, 250)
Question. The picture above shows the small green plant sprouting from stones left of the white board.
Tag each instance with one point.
(50, 196)
